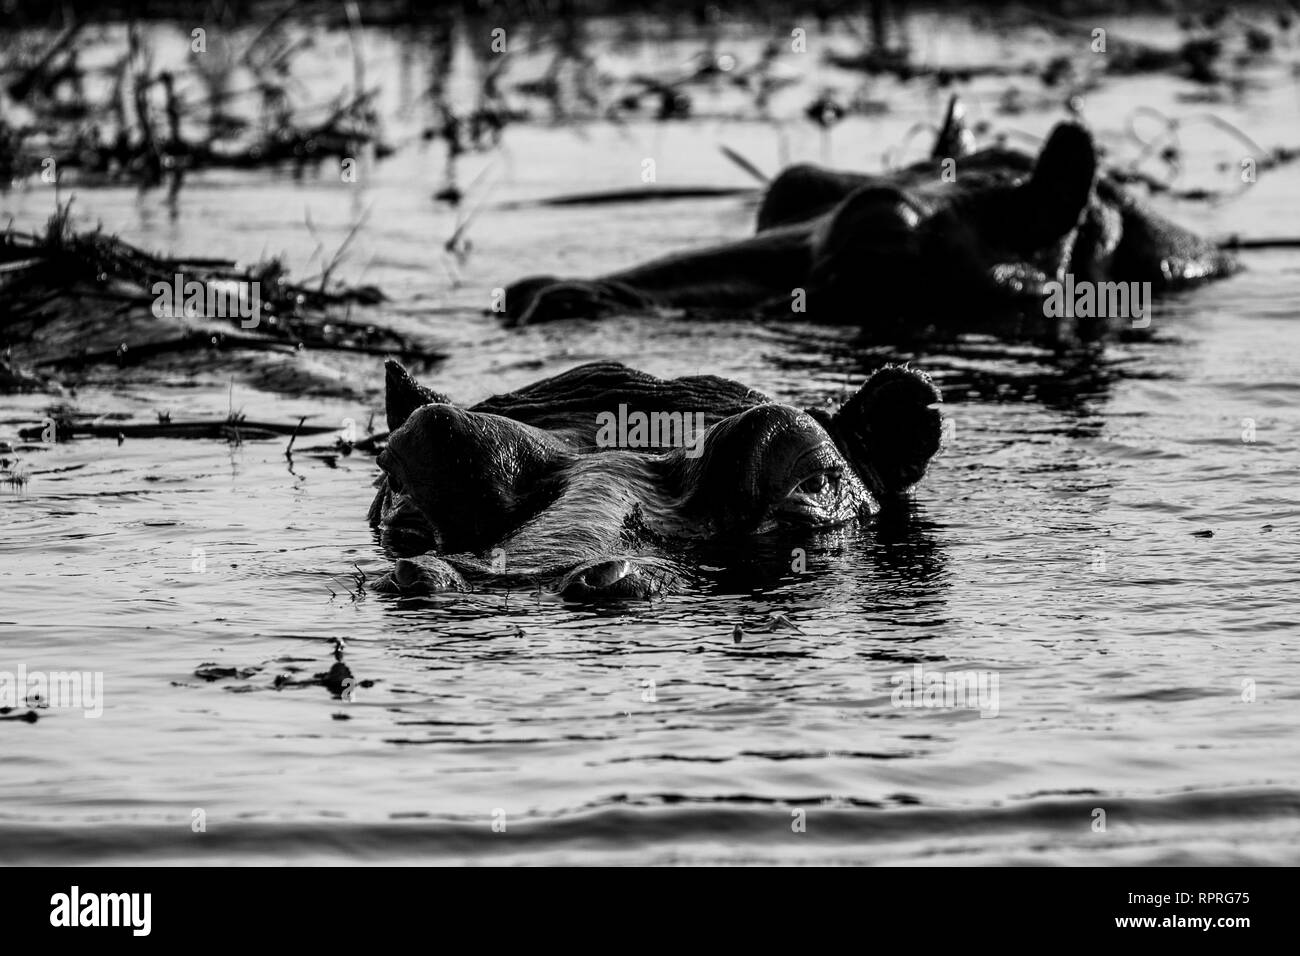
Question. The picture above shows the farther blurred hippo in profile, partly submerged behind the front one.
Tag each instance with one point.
(931, 248)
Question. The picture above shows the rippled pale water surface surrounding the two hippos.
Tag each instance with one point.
(1145, 669)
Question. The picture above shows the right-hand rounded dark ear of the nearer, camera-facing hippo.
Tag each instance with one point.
(890, 430)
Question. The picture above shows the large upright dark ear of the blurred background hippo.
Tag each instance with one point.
(1059, 189)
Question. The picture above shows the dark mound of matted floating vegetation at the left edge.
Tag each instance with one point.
(71, 300)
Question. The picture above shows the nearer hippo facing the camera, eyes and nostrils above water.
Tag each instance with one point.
(530, 490)
